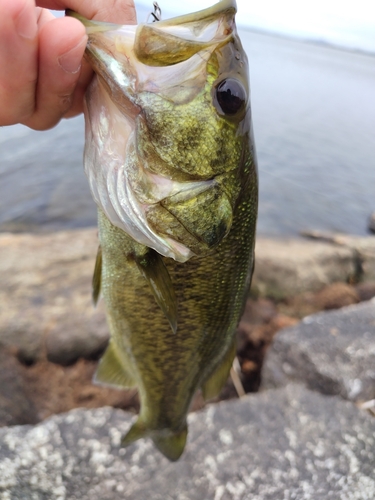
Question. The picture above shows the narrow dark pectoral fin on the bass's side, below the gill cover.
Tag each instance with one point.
(152, 268)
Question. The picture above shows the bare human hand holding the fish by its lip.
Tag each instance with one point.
(43, 77)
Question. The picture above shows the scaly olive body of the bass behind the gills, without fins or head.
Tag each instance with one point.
(210, 294)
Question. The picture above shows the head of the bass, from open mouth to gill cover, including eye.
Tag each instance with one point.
(167, 120)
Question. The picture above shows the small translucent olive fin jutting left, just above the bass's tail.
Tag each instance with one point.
(111, 371)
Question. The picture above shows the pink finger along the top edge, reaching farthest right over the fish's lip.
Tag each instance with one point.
(103, 10)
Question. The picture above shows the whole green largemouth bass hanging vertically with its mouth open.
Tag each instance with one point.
(170, 159)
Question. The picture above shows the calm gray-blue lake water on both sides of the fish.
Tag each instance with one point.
(314, 120)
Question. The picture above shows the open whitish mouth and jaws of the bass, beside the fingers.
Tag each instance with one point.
(125, 57)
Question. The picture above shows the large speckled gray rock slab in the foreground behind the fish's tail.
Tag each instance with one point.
(289, 443)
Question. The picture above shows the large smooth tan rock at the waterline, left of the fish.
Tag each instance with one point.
(45, 296)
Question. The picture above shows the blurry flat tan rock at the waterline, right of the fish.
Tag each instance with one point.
(284, 268)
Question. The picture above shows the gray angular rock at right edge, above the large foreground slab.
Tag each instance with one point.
(330, 352)
